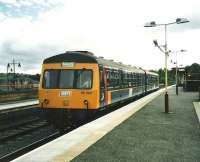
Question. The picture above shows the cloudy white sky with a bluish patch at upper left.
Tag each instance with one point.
(32, 30)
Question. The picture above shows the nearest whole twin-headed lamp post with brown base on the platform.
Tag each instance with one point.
(153, 24)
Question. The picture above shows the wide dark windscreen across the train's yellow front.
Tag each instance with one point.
(67, 79)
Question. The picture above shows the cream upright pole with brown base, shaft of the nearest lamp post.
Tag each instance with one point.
(166, 94)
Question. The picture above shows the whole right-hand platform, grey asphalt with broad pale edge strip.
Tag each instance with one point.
(148, 135)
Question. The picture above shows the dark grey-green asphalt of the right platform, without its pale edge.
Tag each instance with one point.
(152, 135)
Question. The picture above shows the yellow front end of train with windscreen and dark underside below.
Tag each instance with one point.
(69, 91)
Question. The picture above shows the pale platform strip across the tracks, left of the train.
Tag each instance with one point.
(18, 104)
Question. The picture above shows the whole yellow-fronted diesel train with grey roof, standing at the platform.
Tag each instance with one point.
(76, 84)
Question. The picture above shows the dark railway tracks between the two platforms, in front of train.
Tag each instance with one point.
(23, 130)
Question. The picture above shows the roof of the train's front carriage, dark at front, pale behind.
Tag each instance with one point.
(88, 57)
